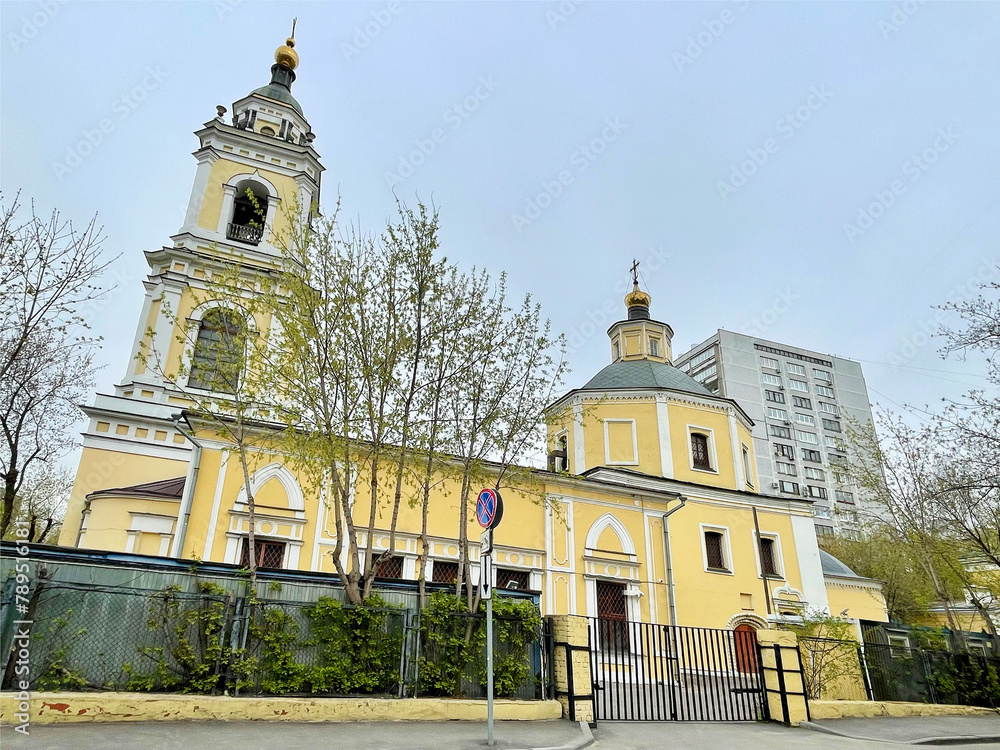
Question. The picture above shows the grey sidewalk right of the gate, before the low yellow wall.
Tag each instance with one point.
(917, 730)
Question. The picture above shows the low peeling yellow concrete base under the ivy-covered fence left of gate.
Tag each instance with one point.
(58, 708)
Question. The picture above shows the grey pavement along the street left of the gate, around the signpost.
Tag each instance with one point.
(241, 735)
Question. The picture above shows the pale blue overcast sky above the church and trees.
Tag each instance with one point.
(837, 101)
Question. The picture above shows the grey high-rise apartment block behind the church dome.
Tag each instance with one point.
(801, 402)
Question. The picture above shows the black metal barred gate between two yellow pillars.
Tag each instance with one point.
(646, 672)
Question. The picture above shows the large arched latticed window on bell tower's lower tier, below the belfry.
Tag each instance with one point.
(218, 352)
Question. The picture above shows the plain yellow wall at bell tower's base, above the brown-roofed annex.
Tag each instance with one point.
(103, 469)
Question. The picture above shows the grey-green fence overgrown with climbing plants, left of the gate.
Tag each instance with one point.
(118, 638)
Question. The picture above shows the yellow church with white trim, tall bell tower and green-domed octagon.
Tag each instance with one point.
(652, 507)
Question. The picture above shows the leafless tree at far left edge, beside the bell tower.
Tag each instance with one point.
(48, 274)
